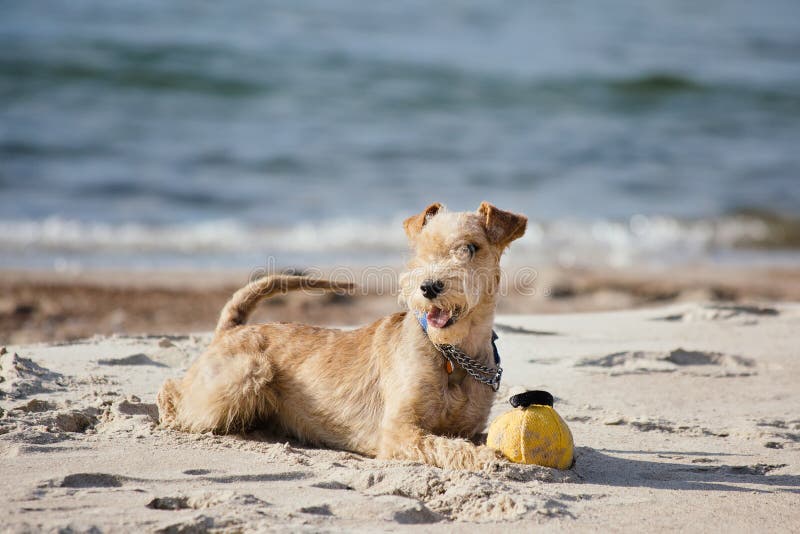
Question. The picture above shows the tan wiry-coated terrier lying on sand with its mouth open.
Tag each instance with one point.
(415, 385)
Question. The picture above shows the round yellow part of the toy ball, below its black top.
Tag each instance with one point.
(535, 434)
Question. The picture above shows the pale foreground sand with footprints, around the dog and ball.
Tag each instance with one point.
(685, 418)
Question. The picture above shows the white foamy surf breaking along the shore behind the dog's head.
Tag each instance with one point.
(642, 239)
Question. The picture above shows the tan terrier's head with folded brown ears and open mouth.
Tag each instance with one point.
(455, 269)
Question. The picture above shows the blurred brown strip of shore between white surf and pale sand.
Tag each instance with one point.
(38, 306)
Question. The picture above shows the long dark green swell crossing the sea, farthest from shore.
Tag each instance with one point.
(229, 72)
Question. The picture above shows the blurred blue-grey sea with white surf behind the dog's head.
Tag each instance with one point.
(195, 134)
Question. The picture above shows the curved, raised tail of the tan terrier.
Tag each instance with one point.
(242, 303)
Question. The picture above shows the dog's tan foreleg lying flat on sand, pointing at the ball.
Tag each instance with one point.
(408, 442)
